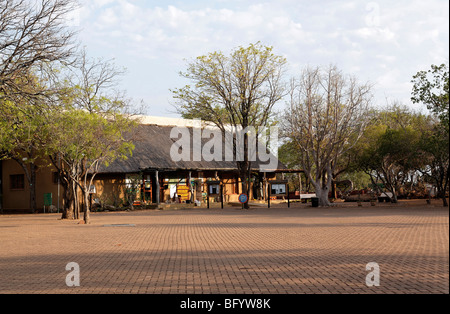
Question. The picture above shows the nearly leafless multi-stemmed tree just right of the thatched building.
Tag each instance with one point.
(326, 115)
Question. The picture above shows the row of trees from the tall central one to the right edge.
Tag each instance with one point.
(330, 128)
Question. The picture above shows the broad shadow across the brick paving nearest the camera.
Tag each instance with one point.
(277, 270)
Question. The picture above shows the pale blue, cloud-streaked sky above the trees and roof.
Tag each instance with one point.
(383, 42)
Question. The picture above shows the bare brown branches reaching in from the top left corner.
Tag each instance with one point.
(32, 33)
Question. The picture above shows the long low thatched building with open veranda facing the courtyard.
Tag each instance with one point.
(162, 177)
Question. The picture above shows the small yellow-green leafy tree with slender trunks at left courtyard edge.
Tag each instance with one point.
(85, 143)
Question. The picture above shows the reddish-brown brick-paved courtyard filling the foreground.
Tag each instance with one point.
(230, 251)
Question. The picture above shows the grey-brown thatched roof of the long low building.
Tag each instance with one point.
(152, 152)
